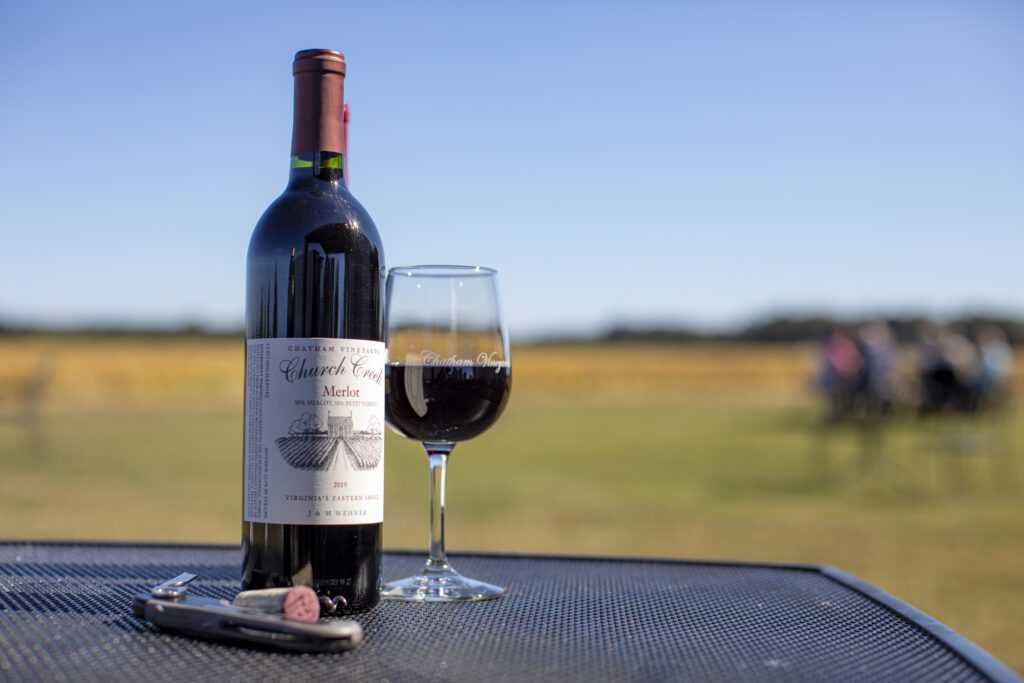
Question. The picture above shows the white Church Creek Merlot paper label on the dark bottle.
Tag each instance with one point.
(315, 432)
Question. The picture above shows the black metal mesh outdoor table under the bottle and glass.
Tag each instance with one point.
(65, 616)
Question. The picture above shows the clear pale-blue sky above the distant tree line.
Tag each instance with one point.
(692, 162)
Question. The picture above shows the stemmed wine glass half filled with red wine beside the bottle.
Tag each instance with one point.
(448, 380)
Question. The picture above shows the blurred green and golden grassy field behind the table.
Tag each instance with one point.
(684, 452)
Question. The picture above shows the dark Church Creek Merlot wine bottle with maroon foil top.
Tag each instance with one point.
(313, 508)
